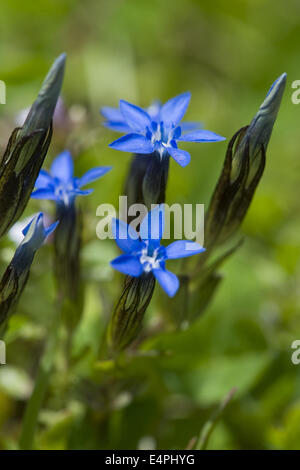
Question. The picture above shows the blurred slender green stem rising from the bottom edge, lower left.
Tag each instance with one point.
(41, 384)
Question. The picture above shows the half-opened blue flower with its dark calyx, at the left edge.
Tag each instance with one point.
(16, 274)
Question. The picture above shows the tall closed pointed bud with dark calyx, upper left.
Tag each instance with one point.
(27, 149)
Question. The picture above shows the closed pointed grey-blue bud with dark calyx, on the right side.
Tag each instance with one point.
(243, 168)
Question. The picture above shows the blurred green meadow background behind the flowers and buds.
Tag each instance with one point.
(227, 54)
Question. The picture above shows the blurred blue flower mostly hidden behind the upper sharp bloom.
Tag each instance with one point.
(117, 122)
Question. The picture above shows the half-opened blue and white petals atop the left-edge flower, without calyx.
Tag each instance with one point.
(35, 234)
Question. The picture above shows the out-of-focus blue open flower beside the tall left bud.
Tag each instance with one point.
(60, 185)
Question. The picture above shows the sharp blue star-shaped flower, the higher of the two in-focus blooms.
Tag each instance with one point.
(161, 133)
